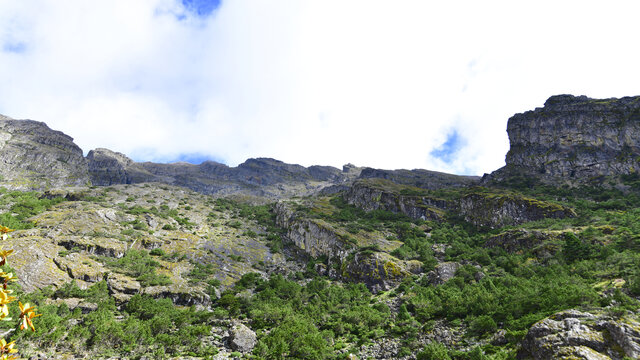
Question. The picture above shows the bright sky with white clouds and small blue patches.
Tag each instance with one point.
(400, 84)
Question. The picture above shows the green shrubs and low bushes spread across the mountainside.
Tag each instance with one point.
(503, 282)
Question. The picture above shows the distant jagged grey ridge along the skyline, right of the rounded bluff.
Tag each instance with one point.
(257, 177)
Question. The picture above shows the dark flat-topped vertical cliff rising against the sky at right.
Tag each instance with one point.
(574, 139)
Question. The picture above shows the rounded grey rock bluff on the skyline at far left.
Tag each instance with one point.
(35, 157)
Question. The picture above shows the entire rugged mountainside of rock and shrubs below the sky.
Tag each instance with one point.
(268, 260)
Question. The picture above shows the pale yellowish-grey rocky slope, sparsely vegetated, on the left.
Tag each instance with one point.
(80, 240)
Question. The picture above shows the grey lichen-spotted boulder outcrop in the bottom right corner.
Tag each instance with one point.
(573, 334)
